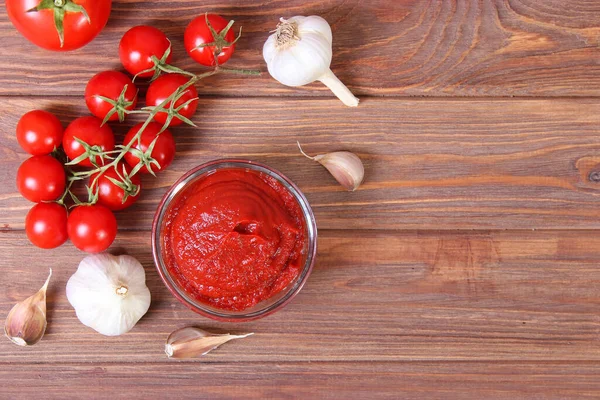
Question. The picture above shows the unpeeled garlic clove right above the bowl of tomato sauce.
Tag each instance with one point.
(344, 166)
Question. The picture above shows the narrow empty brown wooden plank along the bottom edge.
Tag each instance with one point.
(413, 380)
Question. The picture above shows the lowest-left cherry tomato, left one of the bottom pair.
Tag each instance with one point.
(46, 225)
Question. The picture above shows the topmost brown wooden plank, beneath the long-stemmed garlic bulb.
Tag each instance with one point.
(381, 47)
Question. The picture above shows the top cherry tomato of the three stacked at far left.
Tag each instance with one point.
(39, 132)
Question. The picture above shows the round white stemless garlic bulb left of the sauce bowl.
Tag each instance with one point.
(109, 293)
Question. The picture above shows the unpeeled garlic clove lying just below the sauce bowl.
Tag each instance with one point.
(193, 342)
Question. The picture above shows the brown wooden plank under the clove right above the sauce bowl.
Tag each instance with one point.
(438, 164)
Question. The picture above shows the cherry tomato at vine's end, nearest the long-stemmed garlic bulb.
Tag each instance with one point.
(198, 33)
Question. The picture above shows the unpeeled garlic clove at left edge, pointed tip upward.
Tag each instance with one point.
(26, 321)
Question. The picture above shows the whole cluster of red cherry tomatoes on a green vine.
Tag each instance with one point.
(88, 142)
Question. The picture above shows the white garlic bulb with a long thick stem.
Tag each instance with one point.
(299, 53)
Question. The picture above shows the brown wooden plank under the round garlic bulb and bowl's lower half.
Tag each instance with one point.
(373, 296)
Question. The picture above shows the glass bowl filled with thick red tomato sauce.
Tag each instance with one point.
(234, 240)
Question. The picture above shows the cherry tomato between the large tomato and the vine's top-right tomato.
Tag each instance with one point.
(137, 47)
